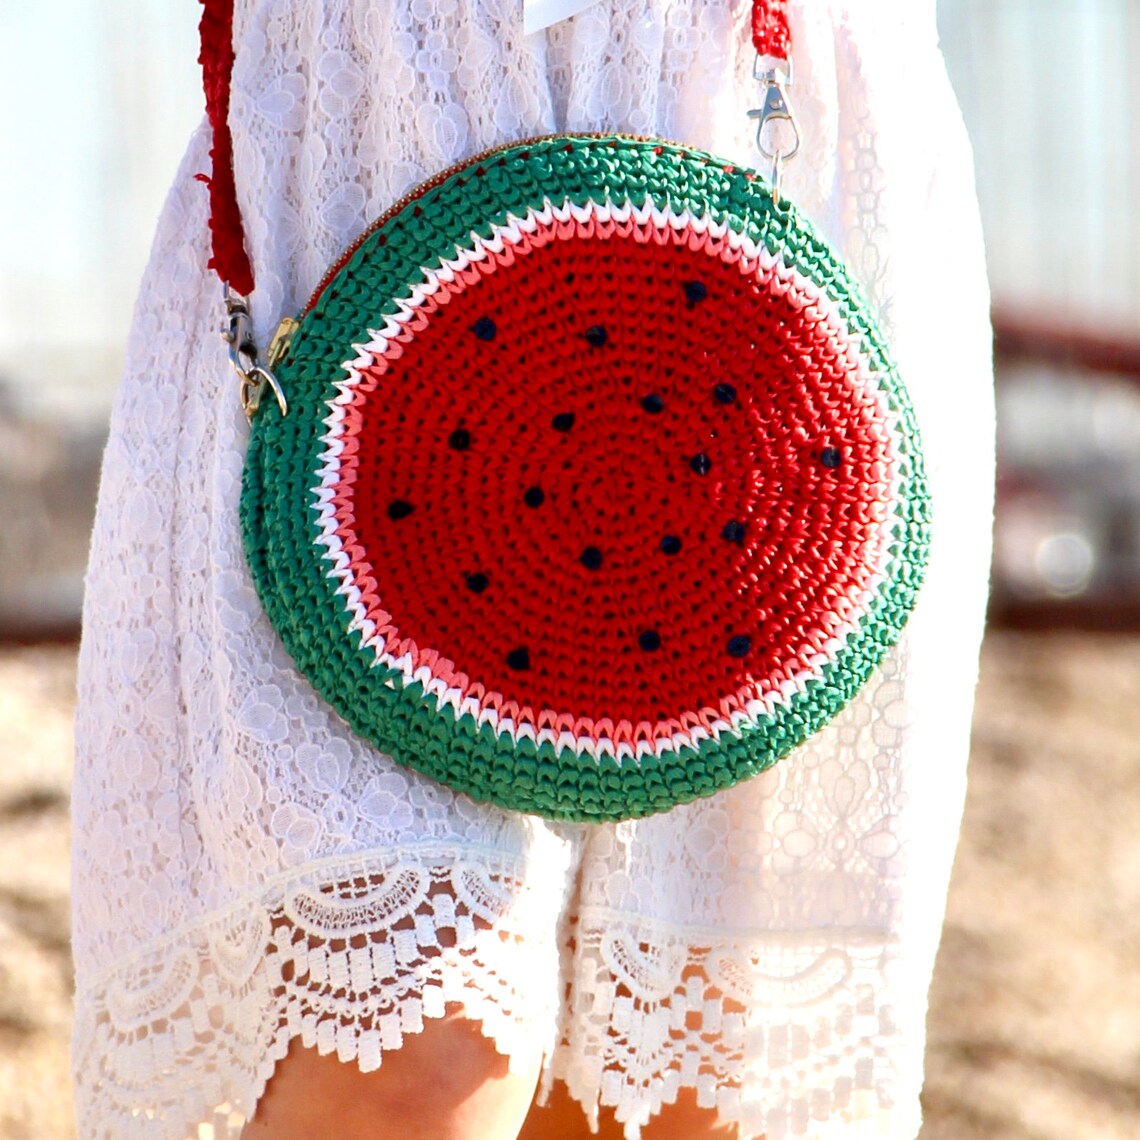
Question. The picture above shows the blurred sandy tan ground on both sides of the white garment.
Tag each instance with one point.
(1036, 1012)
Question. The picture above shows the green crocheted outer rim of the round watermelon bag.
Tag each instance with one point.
(280, 495)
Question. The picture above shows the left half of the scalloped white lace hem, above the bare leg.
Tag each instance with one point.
(349, 958)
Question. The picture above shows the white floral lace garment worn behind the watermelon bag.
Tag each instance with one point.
(248, 873)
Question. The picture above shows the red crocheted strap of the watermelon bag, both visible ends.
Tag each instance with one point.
(771, 37)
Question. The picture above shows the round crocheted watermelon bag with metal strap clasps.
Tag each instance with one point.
(585, 483)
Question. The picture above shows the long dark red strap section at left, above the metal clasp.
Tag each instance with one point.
(217, 60)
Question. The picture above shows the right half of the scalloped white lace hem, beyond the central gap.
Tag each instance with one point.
(783, 1036)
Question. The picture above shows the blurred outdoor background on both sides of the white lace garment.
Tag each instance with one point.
(1036, 1013)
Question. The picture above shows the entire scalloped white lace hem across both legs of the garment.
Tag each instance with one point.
(783, 1036)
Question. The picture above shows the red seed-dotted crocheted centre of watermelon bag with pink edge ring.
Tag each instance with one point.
(778, 496)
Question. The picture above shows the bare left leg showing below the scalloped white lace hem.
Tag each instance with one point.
(446, 1084)
